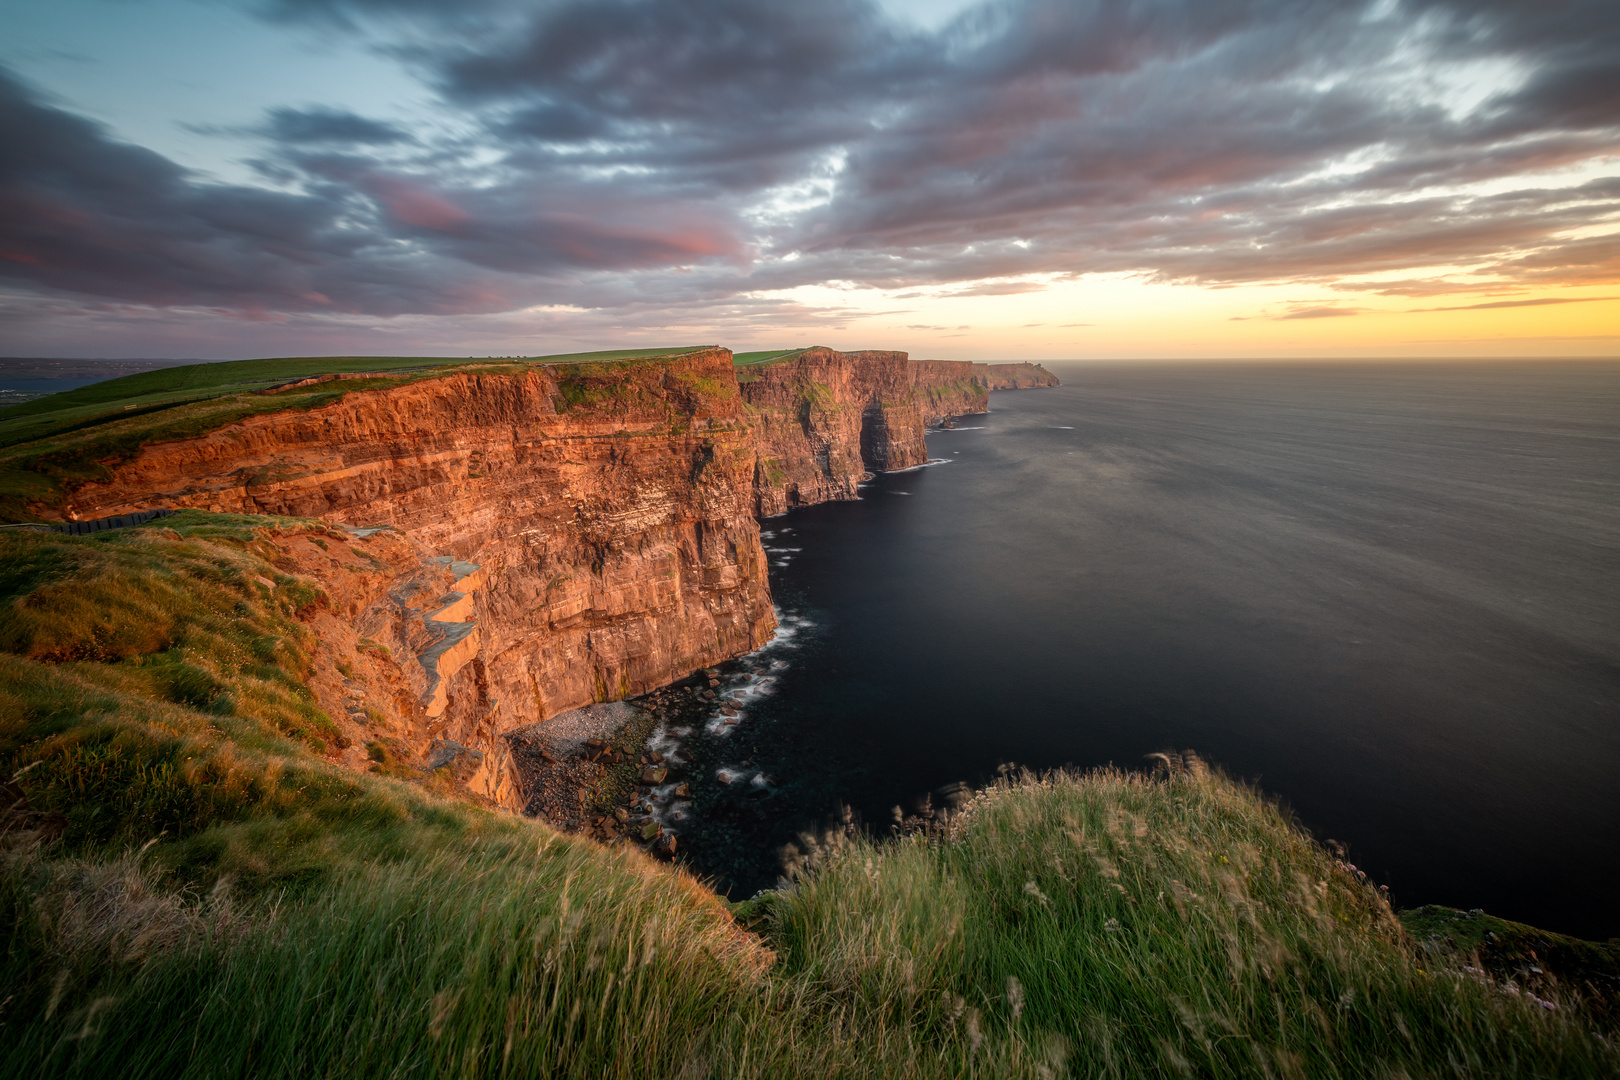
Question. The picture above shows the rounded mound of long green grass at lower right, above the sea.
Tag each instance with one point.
(1122, 925)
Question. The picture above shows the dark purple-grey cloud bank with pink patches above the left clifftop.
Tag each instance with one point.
(85, 215)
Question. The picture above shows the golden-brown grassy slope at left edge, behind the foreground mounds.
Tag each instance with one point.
(153, 679)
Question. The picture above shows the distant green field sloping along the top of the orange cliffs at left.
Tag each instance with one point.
(56, 443)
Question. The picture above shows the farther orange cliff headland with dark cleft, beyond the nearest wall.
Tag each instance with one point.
(827, 419)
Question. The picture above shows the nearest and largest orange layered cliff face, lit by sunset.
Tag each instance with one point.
(607, 512)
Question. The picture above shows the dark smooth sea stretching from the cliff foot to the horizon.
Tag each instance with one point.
(1389, 595)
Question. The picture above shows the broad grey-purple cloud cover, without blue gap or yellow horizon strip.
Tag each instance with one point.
(634, 155)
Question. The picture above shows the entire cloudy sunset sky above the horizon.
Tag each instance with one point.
(971, 181)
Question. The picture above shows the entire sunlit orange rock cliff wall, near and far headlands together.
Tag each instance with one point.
(584, 534)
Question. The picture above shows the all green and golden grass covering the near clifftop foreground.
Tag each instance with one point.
(190, 887)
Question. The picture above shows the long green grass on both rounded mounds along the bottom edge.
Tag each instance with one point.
(1101, 925)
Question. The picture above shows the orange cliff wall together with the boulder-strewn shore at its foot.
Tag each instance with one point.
(508, 551)
